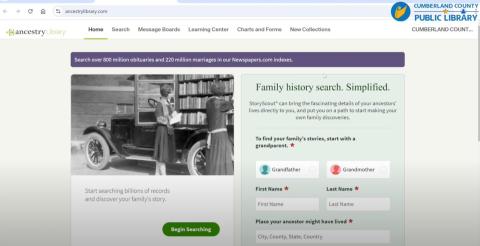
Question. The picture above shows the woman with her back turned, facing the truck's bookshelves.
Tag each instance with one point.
(219, 153)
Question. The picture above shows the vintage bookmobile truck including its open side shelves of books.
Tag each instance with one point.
(132, 136)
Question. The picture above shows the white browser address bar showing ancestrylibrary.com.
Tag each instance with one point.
(300, 11)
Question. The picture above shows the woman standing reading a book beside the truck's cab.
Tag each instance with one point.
(164, 148)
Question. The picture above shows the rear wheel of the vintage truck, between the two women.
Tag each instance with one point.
(197, 158)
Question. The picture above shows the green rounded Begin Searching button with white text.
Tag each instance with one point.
(191, 229)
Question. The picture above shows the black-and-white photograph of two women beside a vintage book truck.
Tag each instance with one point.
(152, 124)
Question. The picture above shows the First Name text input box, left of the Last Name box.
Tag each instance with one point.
(287, 204)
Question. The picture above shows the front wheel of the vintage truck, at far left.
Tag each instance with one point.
(97, 152)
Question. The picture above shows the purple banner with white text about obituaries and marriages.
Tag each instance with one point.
(238, 59)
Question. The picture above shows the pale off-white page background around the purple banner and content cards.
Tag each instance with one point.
(441, 155)
